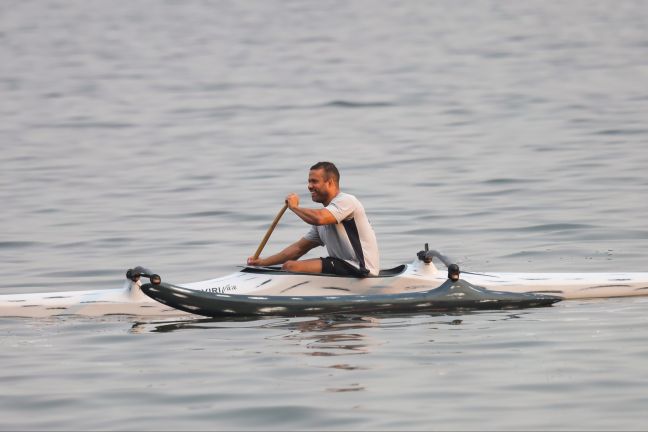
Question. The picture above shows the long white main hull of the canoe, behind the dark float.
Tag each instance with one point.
(418, 276)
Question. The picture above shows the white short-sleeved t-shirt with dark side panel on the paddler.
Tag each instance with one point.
(352, 238)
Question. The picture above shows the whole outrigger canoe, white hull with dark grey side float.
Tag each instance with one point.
(257, 291)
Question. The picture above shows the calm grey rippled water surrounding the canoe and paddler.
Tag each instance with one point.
(512, 136)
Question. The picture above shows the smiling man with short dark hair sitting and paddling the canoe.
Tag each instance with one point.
(342, 226)
